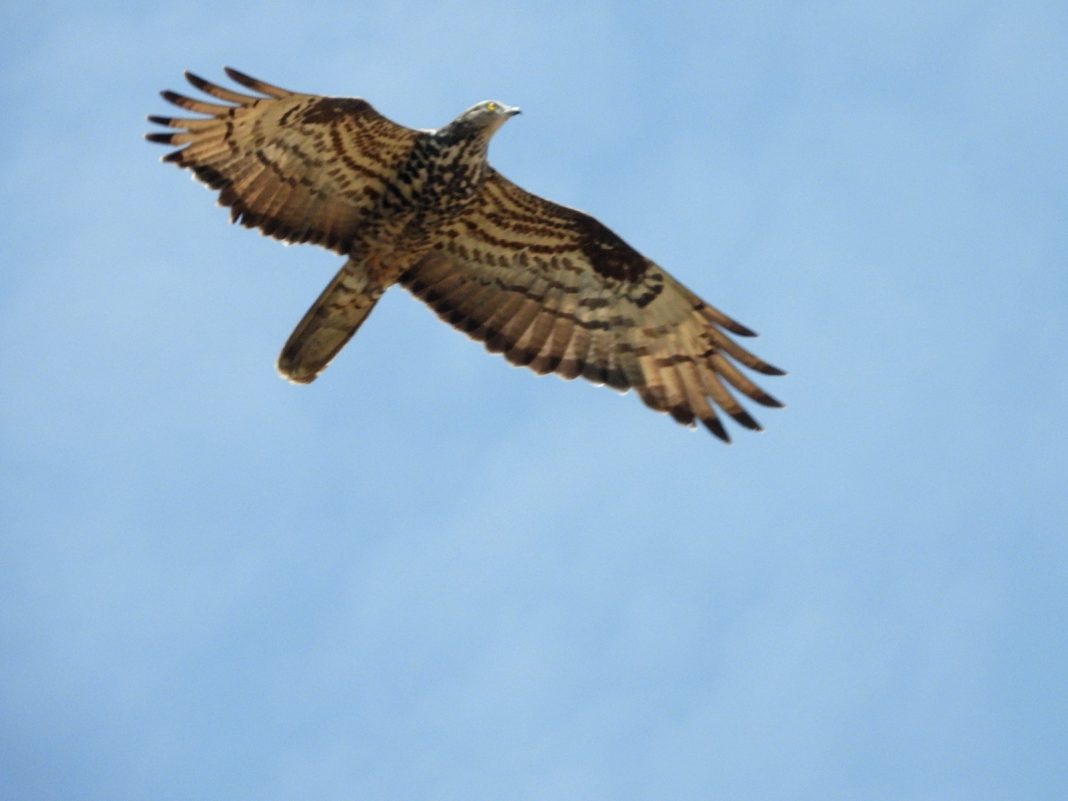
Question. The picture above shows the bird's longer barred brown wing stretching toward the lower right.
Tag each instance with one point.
(556, 291)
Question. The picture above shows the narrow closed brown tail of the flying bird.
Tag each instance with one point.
(331, 323)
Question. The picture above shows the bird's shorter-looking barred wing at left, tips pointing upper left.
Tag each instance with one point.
(300, 167)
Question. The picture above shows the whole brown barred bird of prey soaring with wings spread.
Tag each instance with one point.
(548, 287)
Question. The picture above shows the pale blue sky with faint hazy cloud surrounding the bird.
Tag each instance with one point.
(434, 576)
